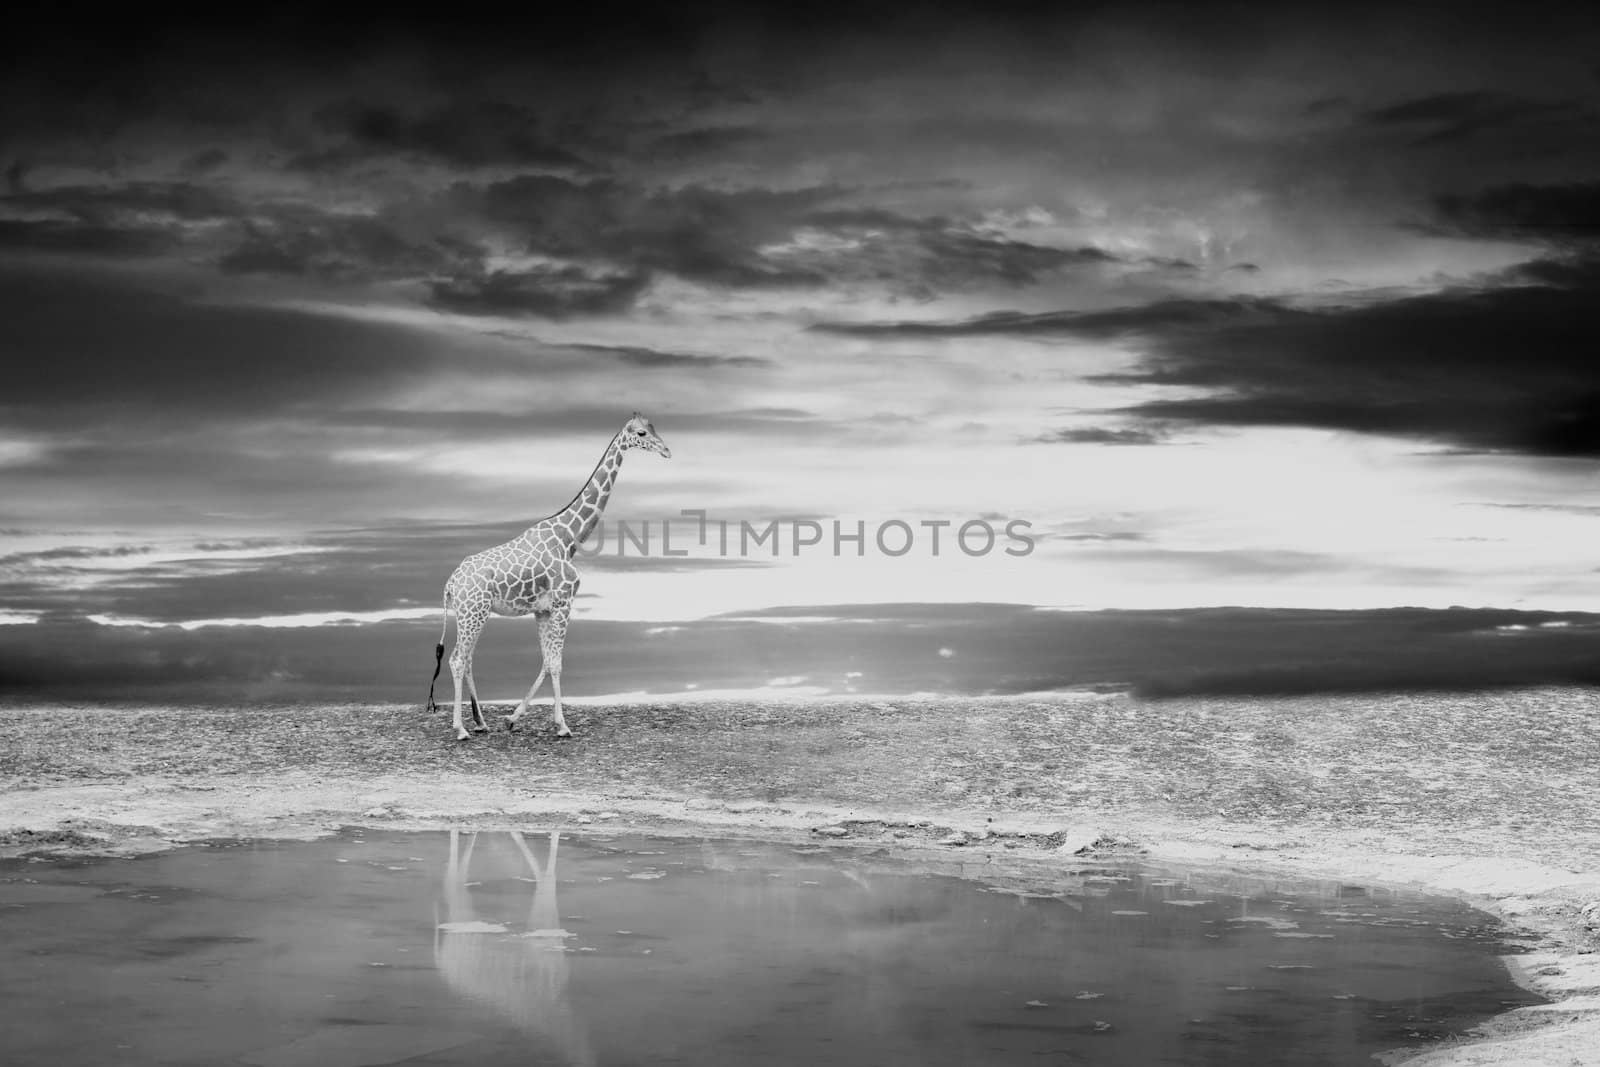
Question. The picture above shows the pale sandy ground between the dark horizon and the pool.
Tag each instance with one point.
(1490, 799)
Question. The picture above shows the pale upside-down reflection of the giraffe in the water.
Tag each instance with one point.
(521, 978)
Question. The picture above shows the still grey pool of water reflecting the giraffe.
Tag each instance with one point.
(591, 949)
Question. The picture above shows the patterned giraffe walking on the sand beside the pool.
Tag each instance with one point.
(532, 573)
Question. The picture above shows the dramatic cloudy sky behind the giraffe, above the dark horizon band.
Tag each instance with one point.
(1281, 308)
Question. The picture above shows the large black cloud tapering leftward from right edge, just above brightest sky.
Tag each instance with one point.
(1497, 369)
